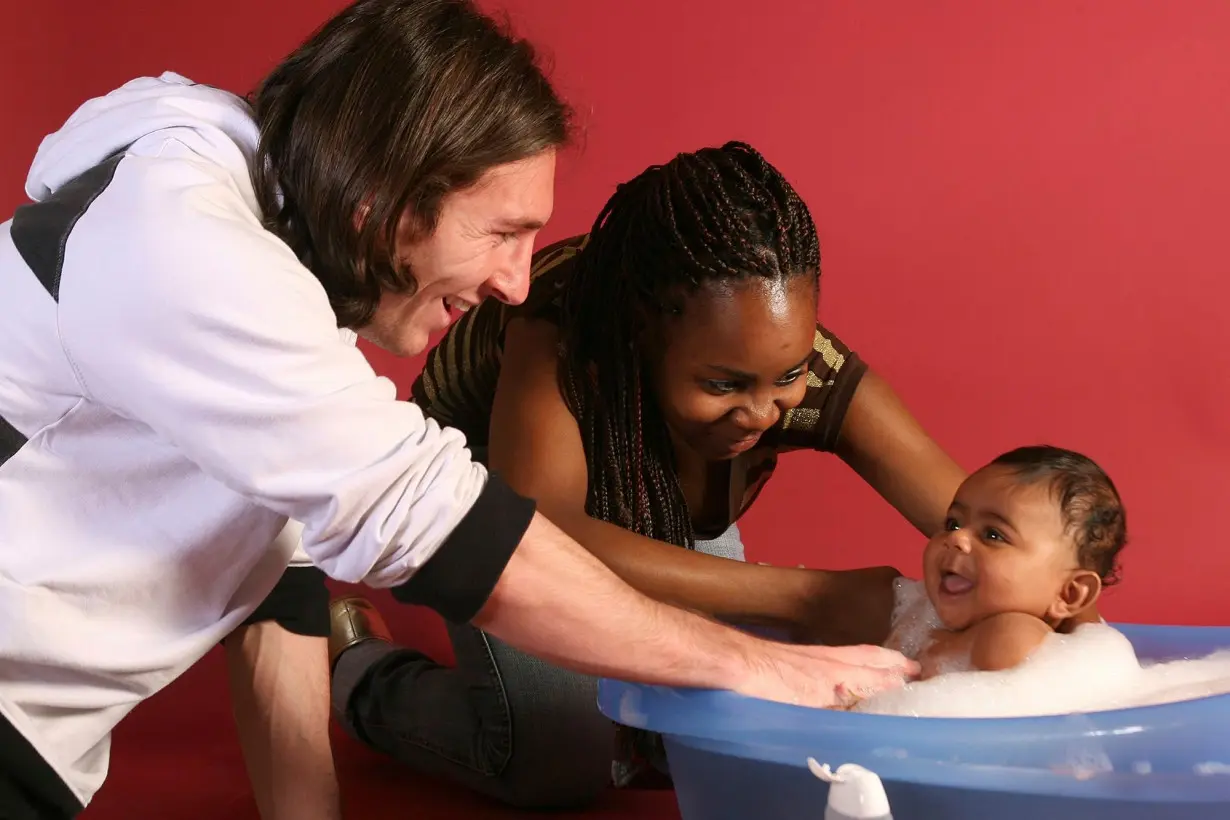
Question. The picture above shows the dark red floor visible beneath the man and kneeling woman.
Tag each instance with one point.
(178, 757)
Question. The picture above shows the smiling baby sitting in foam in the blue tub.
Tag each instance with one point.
(1030, 542)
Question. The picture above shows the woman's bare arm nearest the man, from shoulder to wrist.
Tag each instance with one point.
(536, 446)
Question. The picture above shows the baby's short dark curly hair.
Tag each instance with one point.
(1092, 508)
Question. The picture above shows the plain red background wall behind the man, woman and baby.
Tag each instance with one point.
(1022, 207)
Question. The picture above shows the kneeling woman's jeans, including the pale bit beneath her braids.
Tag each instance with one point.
(502, 723)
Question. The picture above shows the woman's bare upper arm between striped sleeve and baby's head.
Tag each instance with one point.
(885, 444)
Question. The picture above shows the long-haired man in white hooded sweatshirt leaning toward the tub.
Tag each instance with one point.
(179, 380)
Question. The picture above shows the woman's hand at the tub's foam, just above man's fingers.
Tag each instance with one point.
(847, 608)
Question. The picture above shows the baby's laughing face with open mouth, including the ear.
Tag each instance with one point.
(1003, 550)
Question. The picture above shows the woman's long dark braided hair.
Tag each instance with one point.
(716, 216)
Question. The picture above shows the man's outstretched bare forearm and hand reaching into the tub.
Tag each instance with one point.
(558, 602)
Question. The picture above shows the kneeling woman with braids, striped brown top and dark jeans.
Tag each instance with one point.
(643, 396)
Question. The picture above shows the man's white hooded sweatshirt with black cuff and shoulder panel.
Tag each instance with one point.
(174, 388)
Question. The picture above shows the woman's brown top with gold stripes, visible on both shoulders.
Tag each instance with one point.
(458, 384)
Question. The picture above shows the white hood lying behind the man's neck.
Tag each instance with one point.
(215, 124)
